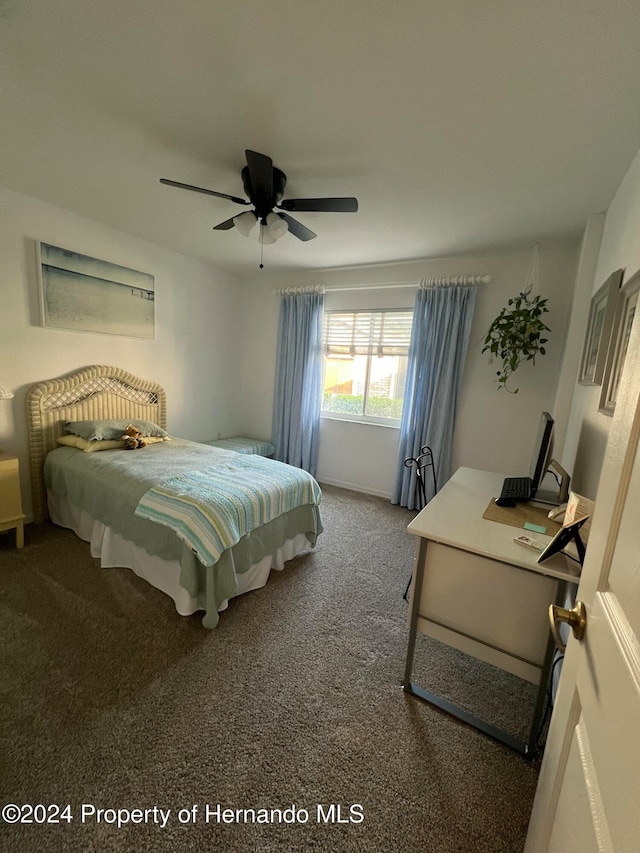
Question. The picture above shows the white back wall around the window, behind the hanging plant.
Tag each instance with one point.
(495, 430)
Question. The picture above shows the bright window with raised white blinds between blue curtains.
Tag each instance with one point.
(365, 364)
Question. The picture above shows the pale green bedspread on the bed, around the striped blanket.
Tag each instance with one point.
(110, 485)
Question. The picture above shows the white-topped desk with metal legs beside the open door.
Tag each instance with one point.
(477, 590)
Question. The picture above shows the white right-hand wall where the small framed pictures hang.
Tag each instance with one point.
(588, 429)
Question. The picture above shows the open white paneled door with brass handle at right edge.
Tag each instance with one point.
(588, 796)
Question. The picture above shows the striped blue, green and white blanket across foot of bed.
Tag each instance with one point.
(212, 509)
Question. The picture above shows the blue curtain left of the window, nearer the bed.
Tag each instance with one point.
(296, 407)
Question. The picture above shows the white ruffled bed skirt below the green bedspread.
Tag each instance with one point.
(115, 552)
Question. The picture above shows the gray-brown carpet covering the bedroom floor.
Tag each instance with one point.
(111, 699)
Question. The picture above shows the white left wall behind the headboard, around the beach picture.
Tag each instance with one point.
(197, 324)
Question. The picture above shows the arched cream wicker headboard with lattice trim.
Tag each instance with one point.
(91, 393)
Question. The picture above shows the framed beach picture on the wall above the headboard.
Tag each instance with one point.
(85, 294)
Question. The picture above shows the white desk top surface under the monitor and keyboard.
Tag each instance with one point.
(454, 517)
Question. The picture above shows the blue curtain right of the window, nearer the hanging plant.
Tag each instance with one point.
(439, 341)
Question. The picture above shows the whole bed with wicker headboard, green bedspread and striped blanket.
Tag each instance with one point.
(200, 523)
